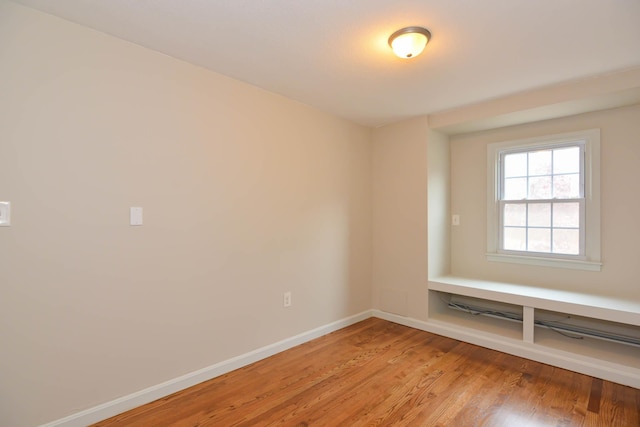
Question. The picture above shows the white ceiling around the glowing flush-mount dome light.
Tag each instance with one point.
(333, 54)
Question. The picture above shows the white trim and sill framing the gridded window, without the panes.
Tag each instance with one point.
(591, 137)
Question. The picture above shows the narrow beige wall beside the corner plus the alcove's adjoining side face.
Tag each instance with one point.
(410, 215)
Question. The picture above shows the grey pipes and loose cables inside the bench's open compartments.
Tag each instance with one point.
(568, 325)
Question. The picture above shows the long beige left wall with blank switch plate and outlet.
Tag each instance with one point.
(246, 195)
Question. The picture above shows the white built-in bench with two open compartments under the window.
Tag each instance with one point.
(607, 359)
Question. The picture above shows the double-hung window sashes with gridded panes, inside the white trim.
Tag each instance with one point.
(541, 200)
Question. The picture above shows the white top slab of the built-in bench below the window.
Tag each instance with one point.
(580, 304)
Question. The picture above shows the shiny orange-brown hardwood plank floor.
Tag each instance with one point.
(378, 373)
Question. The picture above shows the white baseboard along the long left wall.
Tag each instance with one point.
(122, 404)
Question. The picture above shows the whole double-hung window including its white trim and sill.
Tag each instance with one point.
(544, 202)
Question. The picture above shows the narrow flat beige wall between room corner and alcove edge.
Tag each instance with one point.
(400, 218)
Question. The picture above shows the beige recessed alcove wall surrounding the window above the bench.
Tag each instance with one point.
(620, 157)
